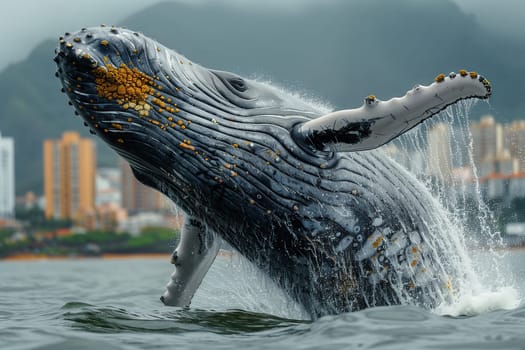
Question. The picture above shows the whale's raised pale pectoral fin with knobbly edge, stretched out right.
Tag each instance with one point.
(378, 122)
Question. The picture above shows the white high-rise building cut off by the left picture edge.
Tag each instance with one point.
(7, 177)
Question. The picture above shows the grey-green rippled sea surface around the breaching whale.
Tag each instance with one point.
(114, 304)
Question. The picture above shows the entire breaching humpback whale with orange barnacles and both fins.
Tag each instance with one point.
(301, 192)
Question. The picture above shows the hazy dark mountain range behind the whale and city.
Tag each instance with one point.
(335, 53)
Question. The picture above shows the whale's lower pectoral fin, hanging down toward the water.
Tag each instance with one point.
(197, 249)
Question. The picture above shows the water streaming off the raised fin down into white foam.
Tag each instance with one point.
(440, 154)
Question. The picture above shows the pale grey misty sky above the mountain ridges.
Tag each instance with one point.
(25, 23)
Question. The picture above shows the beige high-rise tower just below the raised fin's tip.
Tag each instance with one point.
(487, 139)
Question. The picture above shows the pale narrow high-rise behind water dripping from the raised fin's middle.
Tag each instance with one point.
(439, 157)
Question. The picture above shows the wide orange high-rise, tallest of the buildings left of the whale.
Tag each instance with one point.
(69, 176)
